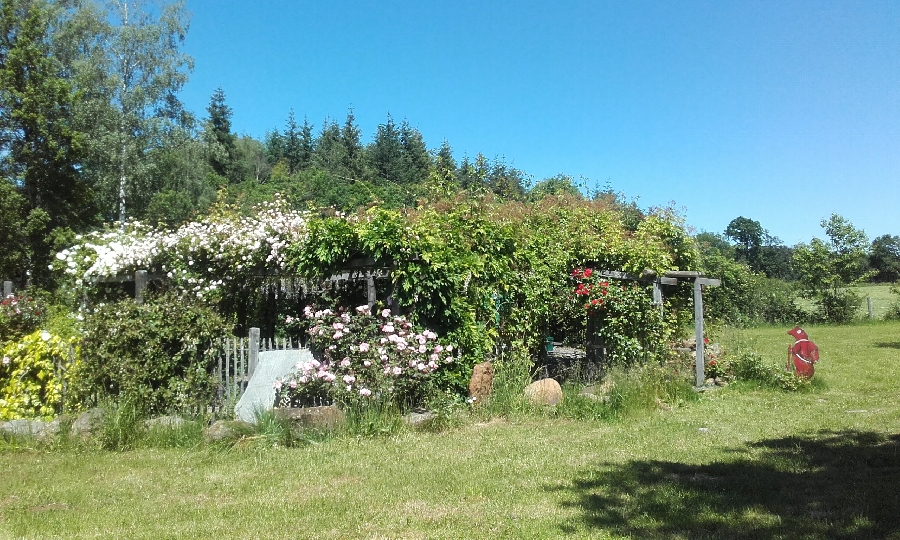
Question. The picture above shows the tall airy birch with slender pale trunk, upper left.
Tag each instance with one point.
(131, 80)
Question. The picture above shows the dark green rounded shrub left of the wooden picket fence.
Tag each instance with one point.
(157, 356)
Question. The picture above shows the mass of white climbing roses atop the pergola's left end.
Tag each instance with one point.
(198, 256)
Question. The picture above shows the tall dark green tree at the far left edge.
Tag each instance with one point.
(40, 147)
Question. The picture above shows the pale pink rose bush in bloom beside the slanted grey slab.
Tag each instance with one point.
(361, 355)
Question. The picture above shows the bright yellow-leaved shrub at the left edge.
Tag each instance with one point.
(33, 372)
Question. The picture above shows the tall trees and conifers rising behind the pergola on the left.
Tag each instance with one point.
(92, 131)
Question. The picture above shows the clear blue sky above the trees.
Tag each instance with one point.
(780, 111)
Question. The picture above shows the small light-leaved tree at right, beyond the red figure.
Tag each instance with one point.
(829, 271)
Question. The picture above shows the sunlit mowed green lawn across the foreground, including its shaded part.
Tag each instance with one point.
(739, 463)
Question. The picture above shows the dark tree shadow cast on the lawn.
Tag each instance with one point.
(829, 485)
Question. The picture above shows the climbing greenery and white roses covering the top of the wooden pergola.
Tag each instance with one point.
(445, 264)
